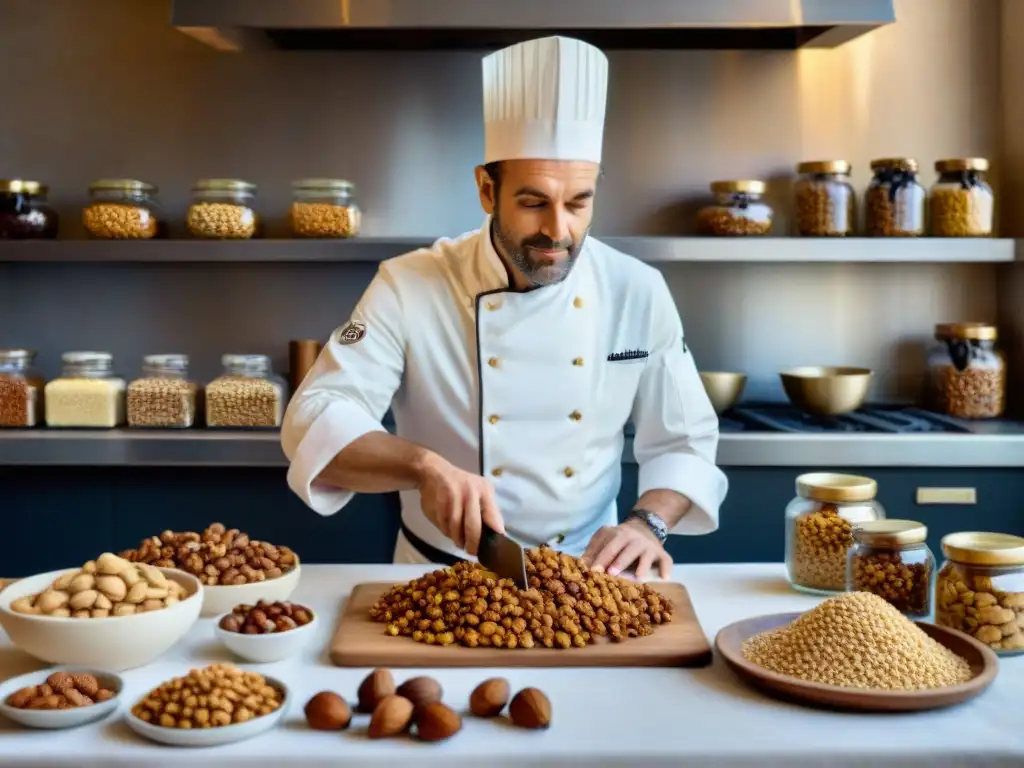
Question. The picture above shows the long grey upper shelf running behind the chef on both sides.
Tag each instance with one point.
(653, 250)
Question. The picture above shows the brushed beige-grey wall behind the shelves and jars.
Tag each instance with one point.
(107, 89)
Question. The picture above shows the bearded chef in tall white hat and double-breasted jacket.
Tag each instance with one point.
(513, 358)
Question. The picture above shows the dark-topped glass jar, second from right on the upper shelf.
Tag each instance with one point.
(894, 203)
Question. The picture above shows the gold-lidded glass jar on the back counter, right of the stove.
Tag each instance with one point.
(969, 374)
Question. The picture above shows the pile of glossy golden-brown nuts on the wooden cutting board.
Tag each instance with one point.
(568, 606)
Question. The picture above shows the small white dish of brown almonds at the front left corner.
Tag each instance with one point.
(65, 699)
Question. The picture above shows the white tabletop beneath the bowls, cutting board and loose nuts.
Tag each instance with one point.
(620, 717)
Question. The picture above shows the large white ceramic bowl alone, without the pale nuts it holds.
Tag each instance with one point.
(115, 644)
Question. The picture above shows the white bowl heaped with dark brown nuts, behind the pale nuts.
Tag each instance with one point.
(233, 568)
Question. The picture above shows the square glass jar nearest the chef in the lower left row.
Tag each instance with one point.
(247, 395)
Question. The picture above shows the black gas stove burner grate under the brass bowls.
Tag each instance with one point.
(875, 419)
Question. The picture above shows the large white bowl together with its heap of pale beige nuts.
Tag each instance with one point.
(109, 615)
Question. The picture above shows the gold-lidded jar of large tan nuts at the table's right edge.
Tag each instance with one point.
(980, 589)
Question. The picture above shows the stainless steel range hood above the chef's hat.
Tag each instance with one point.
(482, 25)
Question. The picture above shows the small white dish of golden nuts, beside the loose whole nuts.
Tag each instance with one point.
(217, 705)
